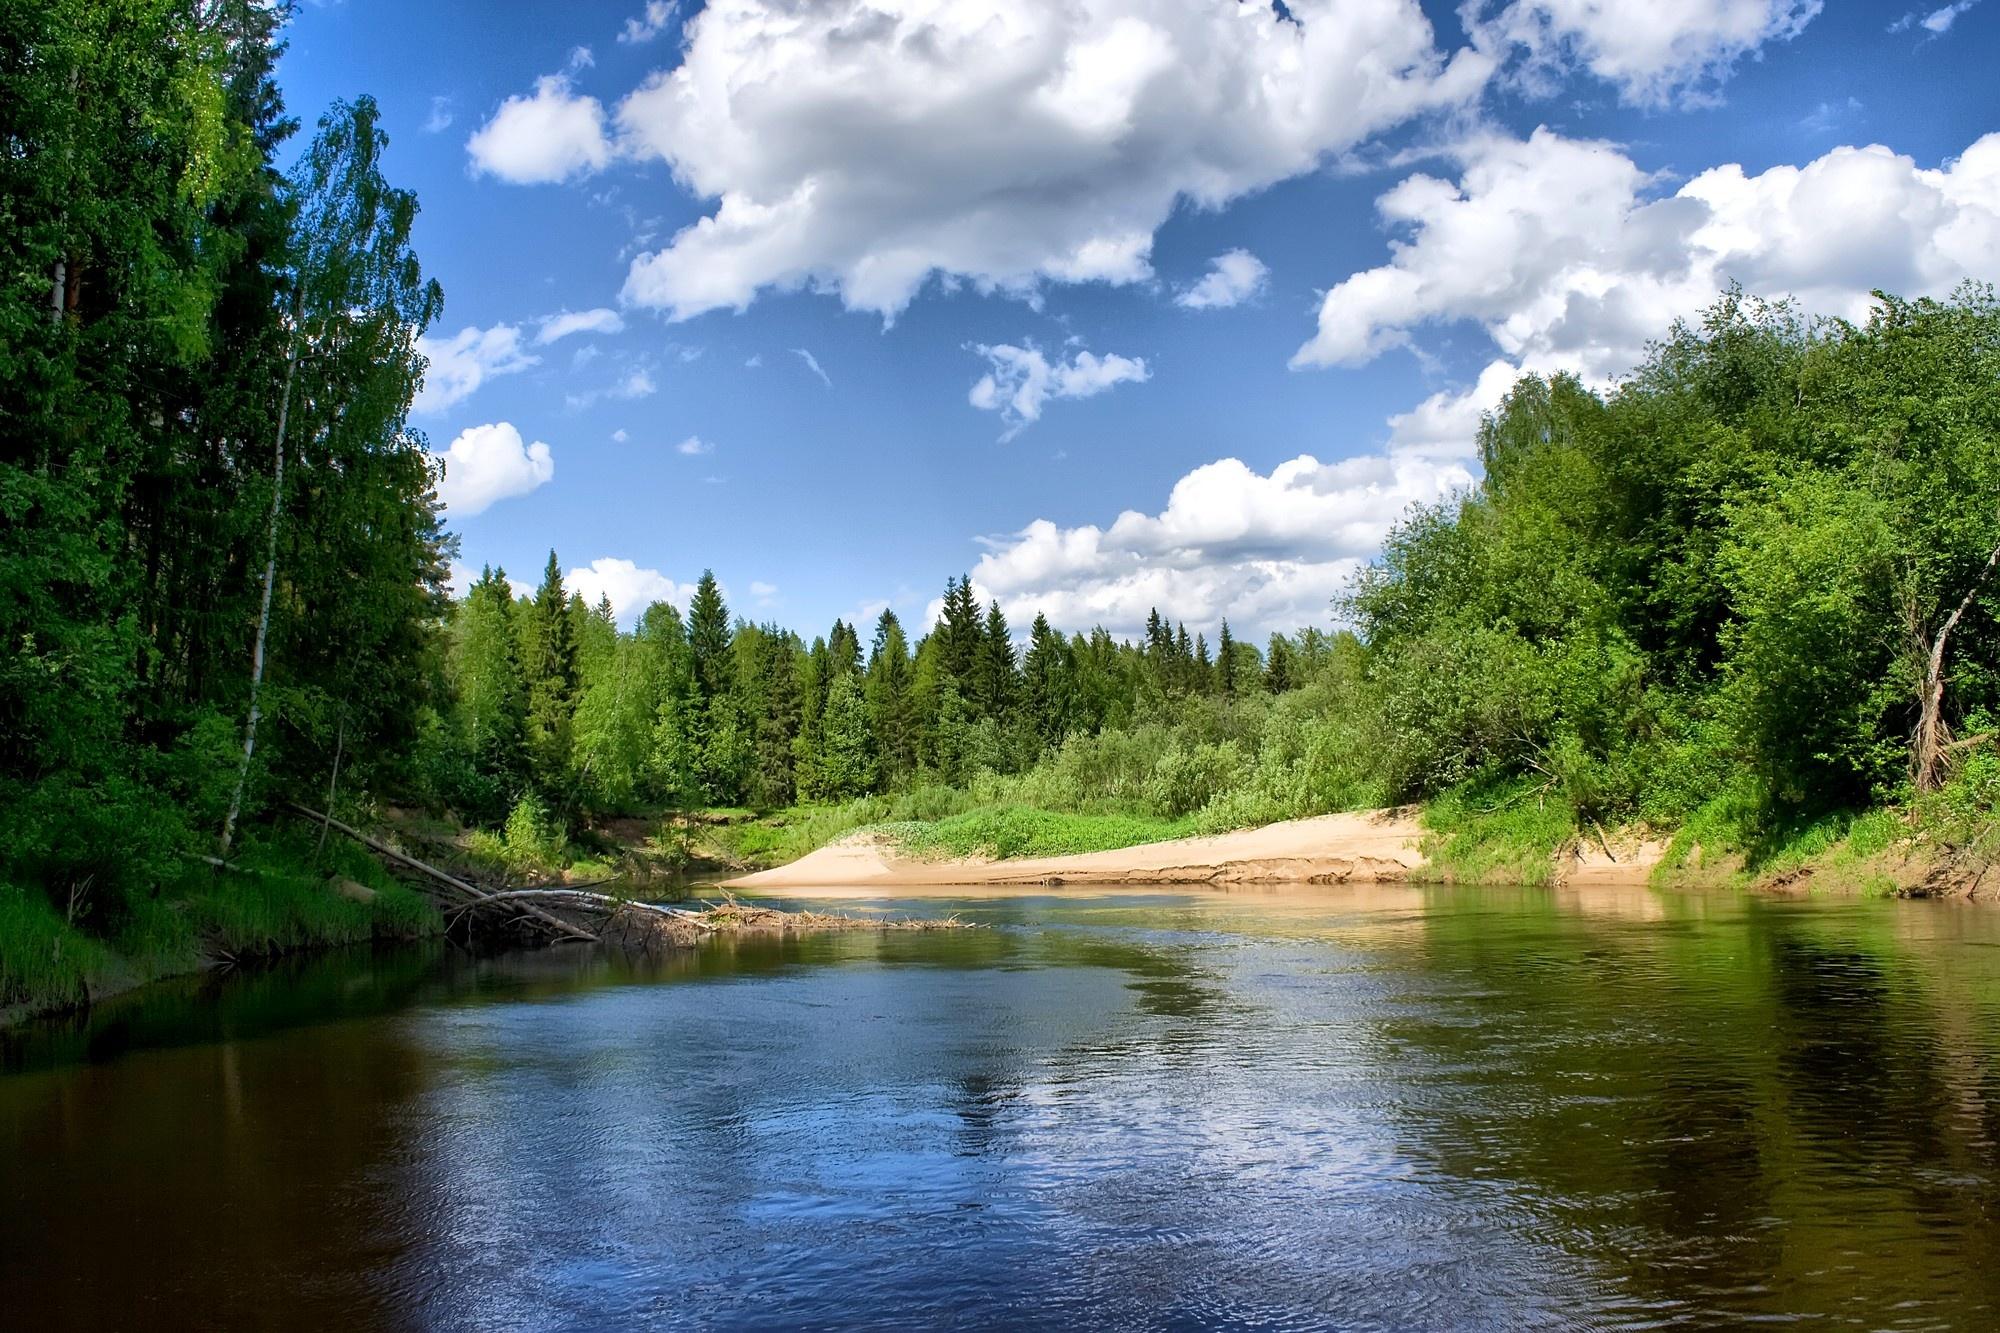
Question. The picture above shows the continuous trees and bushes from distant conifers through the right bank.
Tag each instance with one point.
(1753, 585)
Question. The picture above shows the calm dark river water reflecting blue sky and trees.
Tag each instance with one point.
(1381, 1110)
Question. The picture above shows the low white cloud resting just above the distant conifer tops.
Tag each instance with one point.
(1265, 551)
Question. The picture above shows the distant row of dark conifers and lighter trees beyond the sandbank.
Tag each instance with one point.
(555, 704)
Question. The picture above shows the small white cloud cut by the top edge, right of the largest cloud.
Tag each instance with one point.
(1653, 53)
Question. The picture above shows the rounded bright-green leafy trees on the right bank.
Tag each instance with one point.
(1757, 581)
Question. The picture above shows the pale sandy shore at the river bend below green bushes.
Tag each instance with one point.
(1373, 848)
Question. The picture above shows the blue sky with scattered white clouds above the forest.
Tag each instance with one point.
(1417, 203)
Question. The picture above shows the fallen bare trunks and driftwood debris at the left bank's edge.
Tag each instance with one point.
(579, 914)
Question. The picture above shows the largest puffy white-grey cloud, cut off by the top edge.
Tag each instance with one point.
(863, 151)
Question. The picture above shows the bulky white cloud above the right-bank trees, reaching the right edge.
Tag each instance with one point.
(1561, 253)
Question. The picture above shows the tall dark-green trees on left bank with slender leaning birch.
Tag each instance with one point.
(221, 561)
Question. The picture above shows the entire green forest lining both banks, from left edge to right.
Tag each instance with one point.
(1747, 593)
